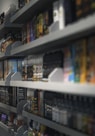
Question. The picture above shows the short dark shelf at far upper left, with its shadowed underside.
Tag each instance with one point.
(5, 27)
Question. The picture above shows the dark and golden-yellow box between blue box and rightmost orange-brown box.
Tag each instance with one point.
(79, 52)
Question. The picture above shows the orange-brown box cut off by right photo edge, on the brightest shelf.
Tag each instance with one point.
(91, 60)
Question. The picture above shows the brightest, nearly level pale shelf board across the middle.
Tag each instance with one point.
(70, 88)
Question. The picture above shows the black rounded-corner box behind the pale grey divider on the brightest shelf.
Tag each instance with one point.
(51, 61)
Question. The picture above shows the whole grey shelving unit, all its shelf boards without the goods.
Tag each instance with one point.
(54, 40)
